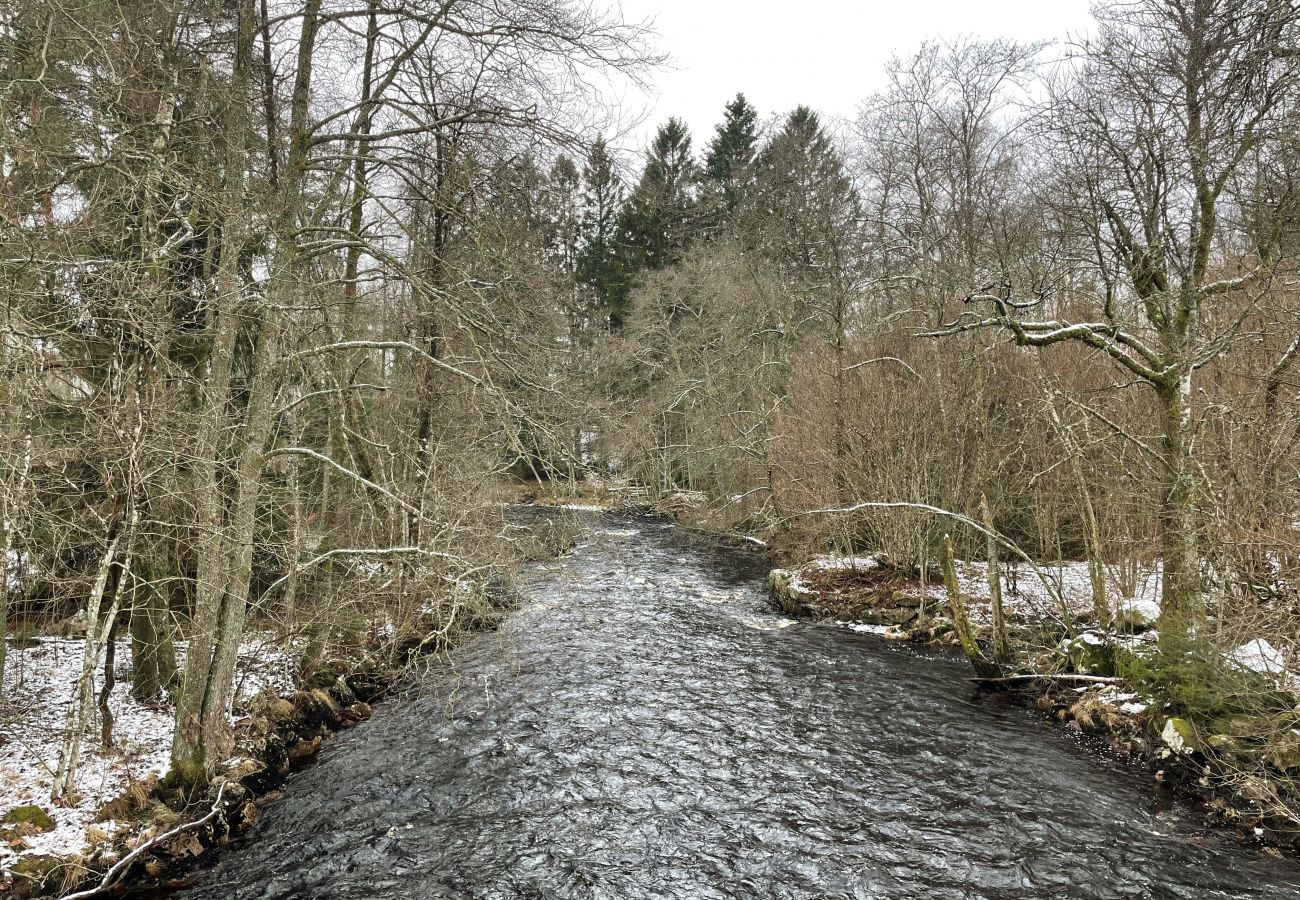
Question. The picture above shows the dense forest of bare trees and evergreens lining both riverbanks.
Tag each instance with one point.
(300, 297)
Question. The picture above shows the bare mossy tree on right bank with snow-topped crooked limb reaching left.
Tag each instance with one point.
(1168, 103)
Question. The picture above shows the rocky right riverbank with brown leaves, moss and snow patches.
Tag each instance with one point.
(1241, 768)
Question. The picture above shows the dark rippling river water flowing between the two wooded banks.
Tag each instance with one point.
(649, 728)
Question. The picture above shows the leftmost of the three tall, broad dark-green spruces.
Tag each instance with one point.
(661, 220)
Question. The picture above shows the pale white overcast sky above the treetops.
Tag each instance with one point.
(826, 54)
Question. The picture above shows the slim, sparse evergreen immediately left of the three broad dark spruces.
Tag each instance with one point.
(599, 265)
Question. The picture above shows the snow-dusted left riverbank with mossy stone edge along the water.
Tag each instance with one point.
(124, 823)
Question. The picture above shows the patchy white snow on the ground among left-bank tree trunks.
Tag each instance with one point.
(40, 683)
